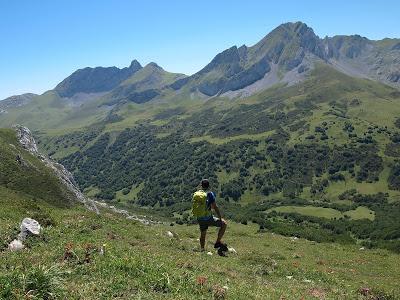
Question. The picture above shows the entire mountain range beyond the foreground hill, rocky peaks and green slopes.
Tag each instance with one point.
(294, 129)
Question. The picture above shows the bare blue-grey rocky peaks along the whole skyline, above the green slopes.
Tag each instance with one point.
(285, 55)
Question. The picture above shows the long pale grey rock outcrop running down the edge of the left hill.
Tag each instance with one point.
(27, 141)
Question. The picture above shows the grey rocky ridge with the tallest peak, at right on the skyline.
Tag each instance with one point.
(289, 46)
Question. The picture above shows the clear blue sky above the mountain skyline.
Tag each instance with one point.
(42, 42)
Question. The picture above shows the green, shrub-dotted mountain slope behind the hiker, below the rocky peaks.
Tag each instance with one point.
(330, 143)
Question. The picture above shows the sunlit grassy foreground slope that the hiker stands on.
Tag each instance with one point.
(141, 262)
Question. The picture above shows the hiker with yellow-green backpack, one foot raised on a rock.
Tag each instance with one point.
(203, 201)
